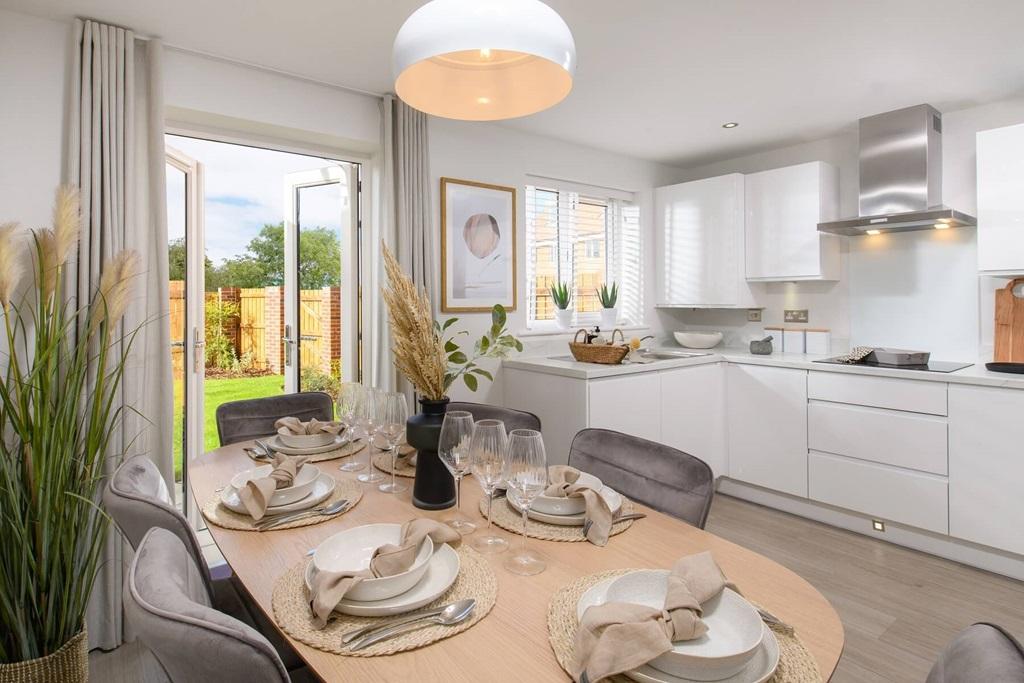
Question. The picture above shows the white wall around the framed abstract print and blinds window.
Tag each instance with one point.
(493, 154)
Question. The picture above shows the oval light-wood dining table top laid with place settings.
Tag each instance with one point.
(511, 644)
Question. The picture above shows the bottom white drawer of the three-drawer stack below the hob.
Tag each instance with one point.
(915, 499)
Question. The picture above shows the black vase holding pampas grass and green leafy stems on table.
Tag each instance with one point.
(432, 360)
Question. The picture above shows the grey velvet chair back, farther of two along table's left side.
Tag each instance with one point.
(138, 499)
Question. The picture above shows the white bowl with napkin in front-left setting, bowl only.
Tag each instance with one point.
(353, 549)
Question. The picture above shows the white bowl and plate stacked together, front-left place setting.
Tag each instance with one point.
(433, 573)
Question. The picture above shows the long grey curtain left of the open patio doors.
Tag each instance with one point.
(116, 156)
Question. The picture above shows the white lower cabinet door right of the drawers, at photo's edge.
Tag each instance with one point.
(987, 466)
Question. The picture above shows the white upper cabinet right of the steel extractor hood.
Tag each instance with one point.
(1001, 211)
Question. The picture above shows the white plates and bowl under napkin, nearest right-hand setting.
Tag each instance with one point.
(739, 648)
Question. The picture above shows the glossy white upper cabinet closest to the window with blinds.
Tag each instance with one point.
(700, 242)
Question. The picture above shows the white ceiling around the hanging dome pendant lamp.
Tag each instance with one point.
(657, 78)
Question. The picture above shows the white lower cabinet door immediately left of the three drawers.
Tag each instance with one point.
(767, 428)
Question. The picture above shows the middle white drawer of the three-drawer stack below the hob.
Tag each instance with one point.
(904, 440)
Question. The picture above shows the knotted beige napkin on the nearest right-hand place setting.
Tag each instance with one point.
(618, 637)
